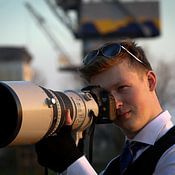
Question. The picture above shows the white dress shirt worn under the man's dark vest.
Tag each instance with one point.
(149, 134)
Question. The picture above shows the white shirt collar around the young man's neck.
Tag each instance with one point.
(155, 129)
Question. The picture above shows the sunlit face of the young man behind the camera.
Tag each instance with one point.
(132, 94)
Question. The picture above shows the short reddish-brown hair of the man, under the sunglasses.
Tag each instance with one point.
(101, 63)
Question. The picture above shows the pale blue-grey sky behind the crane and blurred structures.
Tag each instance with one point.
(19, 28)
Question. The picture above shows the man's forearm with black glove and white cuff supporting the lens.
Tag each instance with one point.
(60, 153)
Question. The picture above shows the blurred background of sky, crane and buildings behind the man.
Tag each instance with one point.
(44, 41)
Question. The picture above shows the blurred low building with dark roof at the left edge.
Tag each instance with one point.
(15, 64)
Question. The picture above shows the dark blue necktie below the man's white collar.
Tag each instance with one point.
(128, 154)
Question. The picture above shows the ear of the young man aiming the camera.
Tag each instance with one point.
(152, 80)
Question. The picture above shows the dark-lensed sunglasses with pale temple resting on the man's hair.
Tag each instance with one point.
(108, 51)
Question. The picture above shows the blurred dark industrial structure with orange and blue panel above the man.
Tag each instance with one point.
(96, 22)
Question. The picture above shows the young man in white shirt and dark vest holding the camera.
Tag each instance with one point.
(124, 71)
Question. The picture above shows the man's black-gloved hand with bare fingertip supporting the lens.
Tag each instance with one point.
(59, 151)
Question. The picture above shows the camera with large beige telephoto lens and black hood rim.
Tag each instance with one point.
(30, 112)
